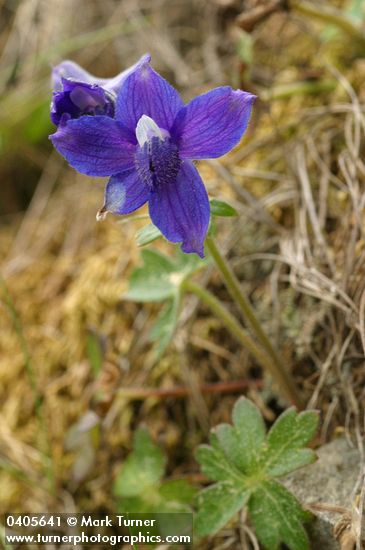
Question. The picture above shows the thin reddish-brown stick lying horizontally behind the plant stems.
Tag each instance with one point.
(234, 386)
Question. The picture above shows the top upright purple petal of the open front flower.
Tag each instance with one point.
(145, 92)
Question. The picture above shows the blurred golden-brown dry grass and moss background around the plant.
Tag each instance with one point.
(78, 373)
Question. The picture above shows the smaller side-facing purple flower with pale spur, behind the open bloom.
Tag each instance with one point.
(77, 92)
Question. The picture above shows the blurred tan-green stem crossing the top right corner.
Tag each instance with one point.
(330, 15)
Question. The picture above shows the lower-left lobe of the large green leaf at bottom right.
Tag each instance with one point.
(217, 505)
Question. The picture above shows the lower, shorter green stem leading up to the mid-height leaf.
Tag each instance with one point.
(244, 338)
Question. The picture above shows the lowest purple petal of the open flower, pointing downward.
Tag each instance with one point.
(181, 210)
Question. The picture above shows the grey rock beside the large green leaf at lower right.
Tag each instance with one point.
(328, 484)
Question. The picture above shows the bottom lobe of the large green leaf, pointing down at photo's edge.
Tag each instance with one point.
(277, 517)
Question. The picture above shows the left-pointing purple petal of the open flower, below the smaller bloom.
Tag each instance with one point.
(96, 145)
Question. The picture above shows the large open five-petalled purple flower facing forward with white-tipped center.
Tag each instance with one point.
(148, 150)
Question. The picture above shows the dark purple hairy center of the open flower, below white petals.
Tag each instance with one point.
(157, 162)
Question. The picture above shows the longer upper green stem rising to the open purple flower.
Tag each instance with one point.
(274, 365)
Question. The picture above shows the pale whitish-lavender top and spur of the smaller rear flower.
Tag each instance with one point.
(71, 70)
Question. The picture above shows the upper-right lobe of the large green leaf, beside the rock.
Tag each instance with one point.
(289, 433)
